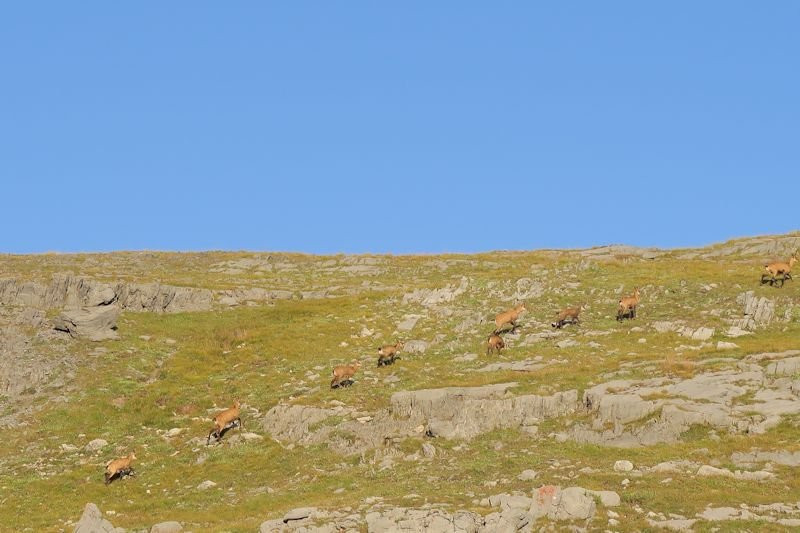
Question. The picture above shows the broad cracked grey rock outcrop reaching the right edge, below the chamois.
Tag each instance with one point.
(624, 415)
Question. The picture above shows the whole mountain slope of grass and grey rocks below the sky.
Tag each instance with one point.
(687, 417)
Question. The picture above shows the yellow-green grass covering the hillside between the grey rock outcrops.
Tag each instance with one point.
(175, 370)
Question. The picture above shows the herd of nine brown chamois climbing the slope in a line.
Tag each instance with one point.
(775, 274)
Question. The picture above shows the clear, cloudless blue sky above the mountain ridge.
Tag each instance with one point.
(396, 126)
